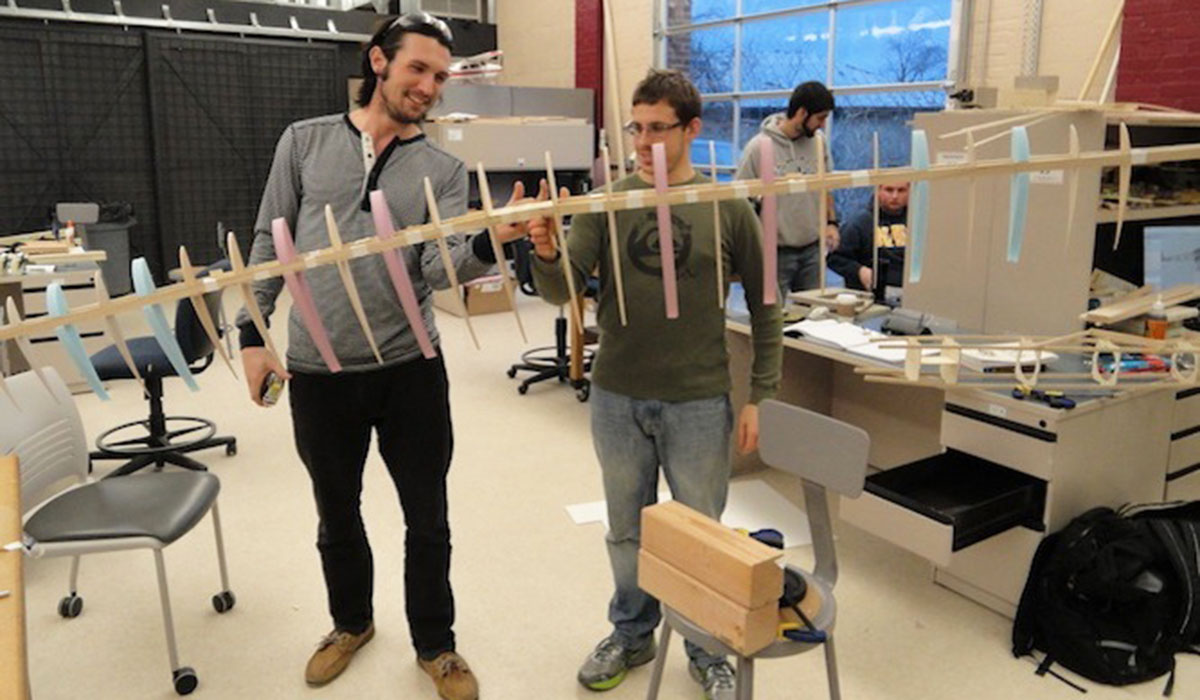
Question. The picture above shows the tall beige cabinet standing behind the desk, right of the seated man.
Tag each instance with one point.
(968, 278)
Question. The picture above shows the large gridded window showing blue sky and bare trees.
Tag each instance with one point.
(884, 59)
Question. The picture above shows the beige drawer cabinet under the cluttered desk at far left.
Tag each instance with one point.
(80, 286)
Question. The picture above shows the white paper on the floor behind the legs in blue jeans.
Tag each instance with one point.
(753, 505)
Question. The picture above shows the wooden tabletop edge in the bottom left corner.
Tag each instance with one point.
(14, 672)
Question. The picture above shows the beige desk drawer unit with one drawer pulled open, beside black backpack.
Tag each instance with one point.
(1012, 471)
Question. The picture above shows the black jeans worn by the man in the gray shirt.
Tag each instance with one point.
(410, 410)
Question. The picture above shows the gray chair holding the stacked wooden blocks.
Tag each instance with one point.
(826, 454)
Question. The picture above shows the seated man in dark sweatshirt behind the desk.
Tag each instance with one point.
(854, 258)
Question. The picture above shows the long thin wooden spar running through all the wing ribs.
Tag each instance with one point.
(619, 202)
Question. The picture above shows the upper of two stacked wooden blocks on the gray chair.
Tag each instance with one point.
(740, 569)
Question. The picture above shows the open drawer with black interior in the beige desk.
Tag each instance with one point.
(941, 505)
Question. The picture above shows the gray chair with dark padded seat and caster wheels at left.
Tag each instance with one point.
(68, 514)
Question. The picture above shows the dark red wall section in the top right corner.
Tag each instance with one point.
(1160, 50)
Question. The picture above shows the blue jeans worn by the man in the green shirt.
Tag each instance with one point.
(633, 438)
